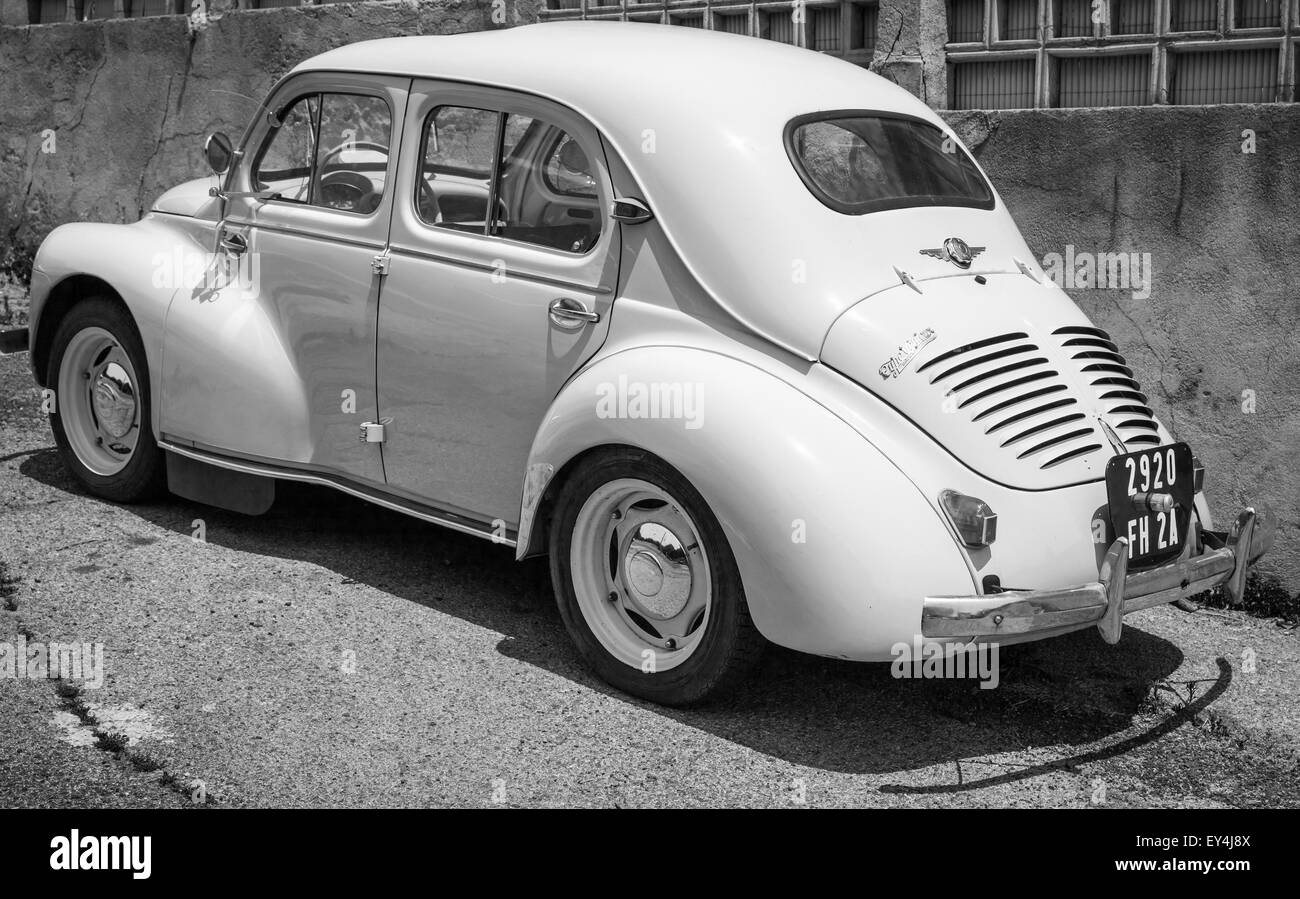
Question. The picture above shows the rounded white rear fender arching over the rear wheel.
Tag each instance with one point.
(835, 545)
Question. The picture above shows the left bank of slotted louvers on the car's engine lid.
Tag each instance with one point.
(1015, 396)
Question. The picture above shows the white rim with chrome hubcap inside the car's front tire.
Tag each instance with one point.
(99, 402)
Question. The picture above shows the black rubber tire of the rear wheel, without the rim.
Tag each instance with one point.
(730, 648)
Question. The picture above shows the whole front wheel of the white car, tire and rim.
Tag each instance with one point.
(102, 403)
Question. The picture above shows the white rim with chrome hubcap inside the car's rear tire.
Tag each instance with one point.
(642, 575)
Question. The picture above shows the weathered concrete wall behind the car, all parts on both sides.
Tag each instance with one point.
(129, 103)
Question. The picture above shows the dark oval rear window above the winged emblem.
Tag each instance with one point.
(860, 163)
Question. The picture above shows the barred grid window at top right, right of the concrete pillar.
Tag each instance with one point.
(1120, 53)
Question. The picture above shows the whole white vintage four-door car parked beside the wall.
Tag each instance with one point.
(739, 335)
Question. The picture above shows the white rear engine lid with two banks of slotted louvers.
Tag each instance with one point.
(1011, 377)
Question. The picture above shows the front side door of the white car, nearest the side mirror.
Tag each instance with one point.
(279, 364)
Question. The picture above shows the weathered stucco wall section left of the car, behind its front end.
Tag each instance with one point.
(129, 102)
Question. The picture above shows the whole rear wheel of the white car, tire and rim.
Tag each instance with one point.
(647, 583)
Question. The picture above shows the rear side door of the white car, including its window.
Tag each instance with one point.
(502, 275)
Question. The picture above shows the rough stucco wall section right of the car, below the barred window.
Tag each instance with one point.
(1216, 342)
